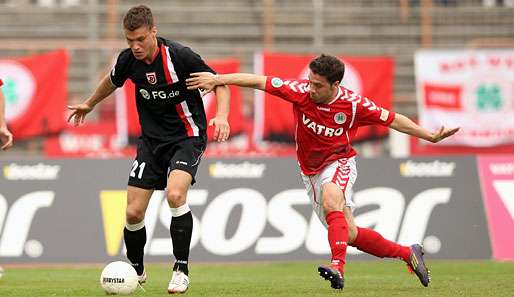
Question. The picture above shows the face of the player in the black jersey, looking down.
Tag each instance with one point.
(142, 42)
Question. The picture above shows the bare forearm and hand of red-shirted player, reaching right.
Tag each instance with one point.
(404, 124)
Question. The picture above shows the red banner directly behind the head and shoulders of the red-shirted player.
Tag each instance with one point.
(369, 76)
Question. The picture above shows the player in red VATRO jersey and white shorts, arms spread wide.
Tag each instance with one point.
(327, 117)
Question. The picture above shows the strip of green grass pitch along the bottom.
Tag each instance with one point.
(365, 278)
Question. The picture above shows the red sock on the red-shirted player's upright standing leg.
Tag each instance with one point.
(337, 238)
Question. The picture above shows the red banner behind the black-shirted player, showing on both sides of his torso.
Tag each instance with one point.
(235, 119)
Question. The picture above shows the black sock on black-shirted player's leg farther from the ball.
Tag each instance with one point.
(181, 229)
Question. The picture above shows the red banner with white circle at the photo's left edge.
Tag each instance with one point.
(35, 90)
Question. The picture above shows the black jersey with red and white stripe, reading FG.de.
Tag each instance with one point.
(167, 110)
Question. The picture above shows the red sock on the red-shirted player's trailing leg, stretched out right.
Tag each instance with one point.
(373, 243)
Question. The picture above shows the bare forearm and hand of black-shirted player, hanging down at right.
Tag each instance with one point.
(220, 122)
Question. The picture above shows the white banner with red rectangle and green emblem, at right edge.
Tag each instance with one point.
(471, 89)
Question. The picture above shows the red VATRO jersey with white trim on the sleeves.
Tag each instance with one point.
(324, 132)
